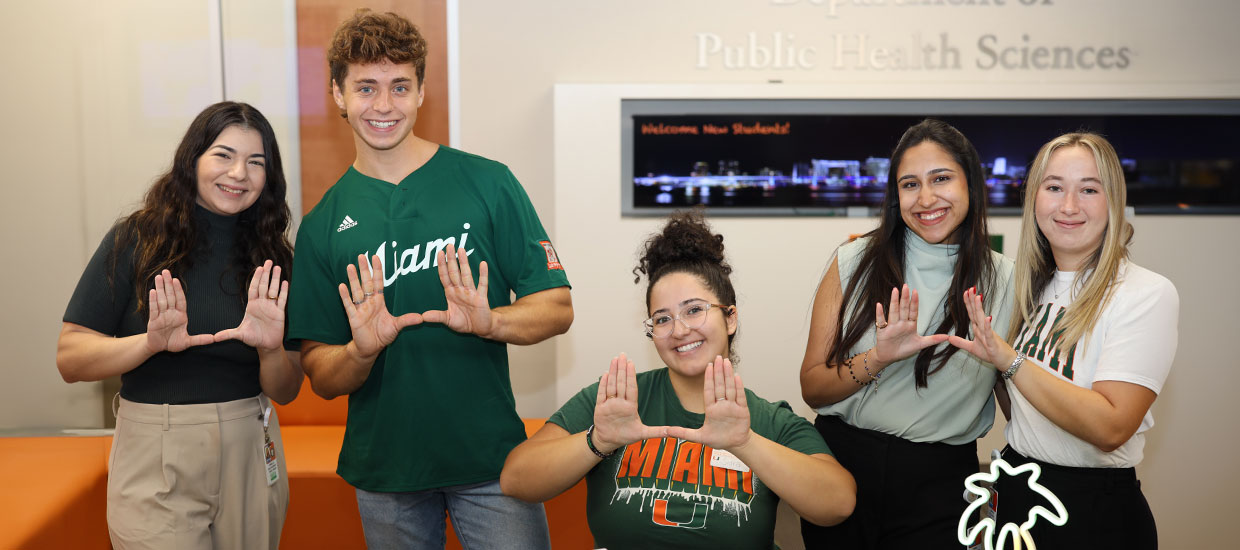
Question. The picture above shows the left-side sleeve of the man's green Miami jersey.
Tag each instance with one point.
(316, 312)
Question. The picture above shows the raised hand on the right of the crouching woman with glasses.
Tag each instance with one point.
(727, 414)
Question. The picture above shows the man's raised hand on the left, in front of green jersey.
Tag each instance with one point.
(369, 319)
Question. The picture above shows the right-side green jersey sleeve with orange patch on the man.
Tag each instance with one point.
(523, 245)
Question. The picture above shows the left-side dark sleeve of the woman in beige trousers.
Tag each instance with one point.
(96, 304)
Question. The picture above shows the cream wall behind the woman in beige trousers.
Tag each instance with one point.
(97, 96)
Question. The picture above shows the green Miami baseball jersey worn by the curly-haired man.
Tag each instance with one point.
(437, 409)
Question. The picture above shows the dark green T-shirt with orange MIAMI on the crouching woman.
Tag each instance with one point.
(665, 494)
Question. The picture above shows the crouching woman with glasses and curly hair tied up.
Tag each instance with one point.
(683, 456)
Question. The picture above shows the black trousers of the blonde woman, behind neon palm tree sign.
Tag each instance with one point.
(1105, 507)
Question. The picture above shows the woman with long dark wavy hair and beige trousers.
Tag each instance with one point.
(184, 300)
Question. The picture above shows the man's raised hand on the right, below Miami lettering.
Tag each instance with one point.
(468, 308)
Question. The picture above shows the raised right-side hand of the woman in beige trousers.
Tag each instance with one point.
(263, 325)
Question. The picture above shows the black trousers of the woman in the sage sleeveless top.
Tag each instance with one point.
(910, 496)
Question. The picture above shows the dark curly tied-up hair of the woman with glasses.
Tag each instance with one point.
(686, 245)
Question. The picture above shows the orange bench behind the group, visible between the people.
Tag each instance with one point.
(54, 490)
